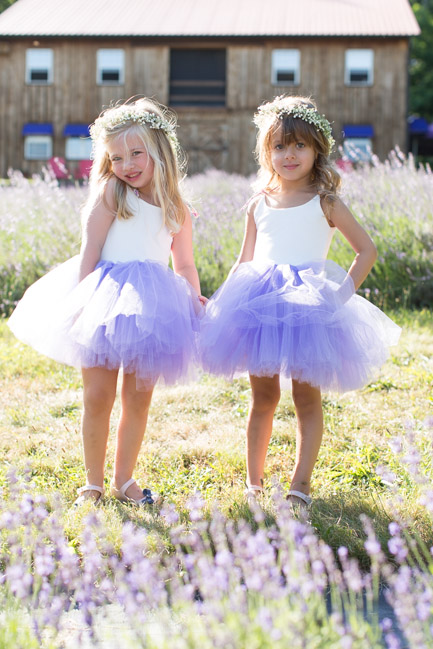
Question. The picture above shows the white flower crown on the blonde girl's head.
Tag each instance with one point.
(125, 114)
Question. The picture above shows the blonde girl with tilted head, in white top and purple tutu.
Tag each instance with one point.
(118, 305)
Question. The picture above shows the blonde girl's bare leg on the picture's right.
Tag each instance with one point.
(130, 432)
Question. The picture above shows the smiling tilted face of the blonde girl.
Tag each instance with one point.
(131, 163)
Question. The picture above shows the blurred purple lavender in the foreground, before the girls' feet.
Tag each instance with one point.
(225, 583)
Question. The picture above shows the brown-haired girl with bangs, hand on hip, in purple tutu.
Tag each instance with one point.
(284, 309)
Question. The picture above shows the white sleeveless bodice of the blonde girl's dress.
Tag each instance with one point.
(142, 237)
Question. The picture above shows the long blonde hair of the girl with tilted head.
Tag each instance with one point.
(155, 125)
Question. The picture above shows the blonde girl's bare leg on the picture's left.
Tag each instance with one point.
(99, 392)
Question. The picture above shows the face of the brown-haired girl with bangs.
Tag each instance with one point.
(292, 160)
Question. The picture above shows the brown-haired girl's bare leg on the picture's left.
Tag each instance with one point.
(265, 398)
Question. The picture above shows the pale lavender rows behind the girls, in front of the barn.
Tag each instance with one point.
(40, 225)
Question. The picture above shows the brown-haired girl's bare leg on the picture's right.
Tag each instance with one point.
(308, 406)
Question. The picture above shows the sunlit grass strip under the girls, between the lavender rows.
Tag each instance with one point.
(196, 439)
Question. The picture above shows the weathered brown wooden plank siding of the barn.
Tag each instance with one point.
(221, 137)
